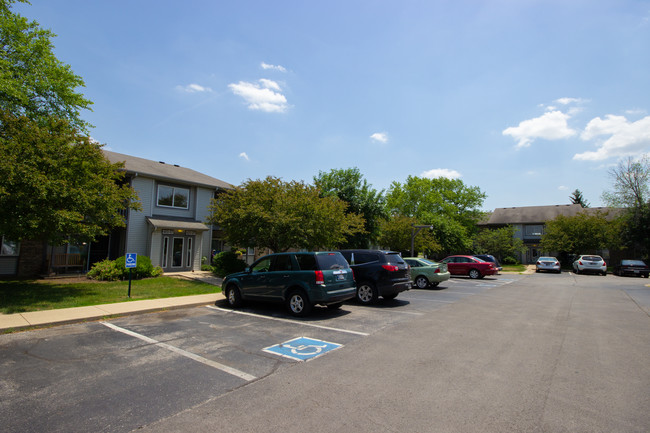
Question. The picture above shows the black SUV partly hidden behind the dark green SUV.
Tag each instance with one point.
(378, 273)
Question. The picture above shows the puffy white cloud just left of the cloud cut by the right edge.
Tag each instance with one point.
(549, 126)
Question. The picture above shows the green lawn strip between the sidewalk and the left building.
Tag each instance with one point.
(19, 296)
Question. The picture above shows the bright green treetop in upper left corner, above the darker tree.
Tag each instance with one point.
(33, 82)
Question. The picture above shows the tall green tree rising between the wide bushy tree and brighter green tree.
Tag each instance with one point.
(350, 186)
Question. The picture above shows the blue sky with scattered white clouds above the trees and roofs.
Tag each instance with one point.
(526, 100)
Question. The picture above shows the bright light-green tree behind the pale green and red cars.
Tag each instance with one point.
(452, 207)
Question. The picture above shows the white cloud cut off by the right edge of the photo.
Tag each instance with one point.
(625, 138)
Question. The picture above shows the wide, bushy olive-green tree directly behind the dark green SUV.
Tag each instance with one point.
(279, 215)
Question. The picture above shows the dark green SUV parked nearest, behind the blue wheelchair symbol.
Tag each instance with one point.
(300, 280)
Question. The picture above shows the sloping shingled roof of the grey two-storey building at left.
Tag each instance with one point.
(163, 171)
